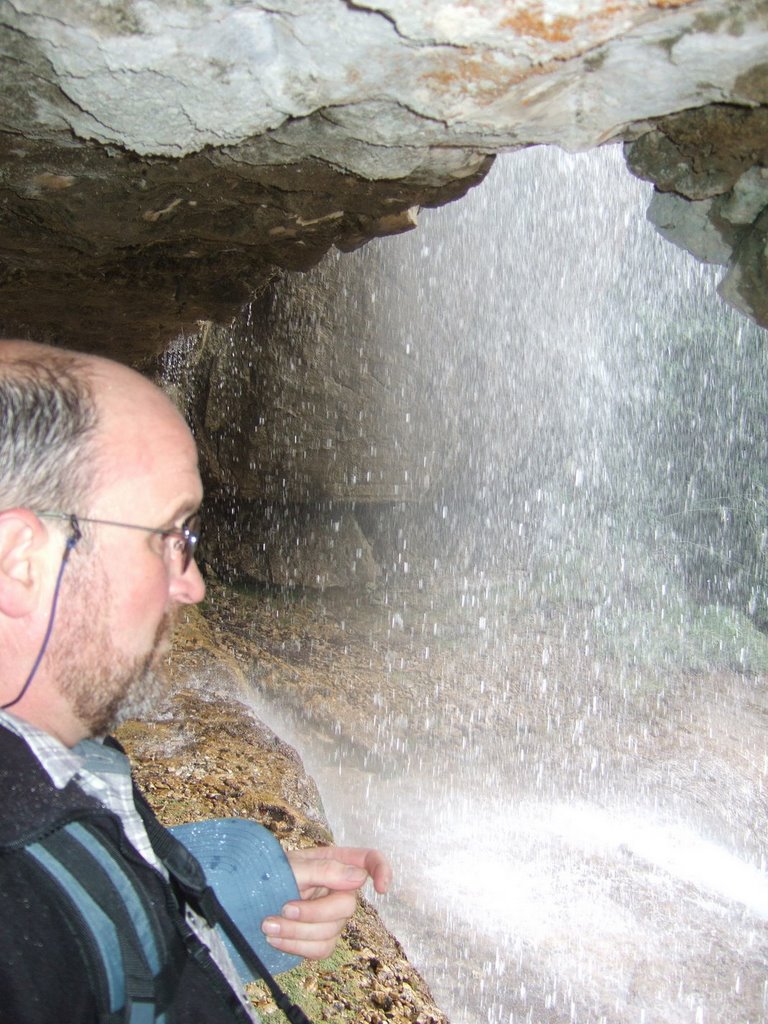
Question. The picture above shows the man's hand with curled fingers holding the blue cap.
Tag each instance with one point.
(329, 878)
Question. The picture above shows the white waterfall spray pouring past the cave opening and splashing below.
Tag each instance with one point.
(567, 757)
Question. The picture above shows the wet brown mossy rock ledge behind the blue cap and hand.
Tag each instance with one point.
(207, 755)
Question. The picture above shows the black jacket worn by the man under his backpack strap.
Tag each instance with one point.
(45, 974)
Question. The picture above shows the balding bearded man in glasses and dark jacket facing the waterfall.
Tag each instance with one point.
(100, 492)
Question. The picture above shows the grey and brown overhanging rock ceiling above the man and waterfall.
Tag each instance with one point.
(163, 161)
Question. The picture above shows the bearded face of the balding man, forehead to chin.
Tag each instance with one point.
(121, 590)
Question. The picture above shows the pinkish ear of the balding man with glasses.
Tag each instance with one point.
(24, 559)
